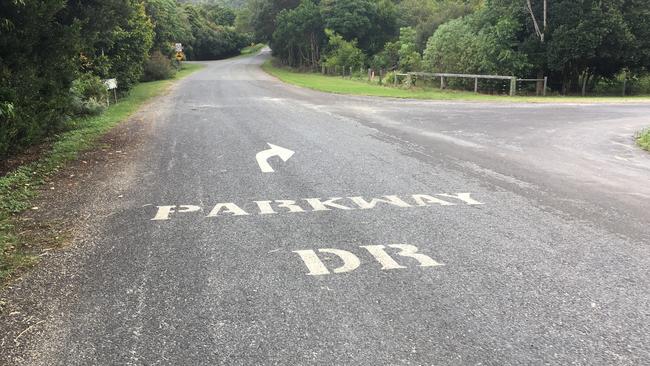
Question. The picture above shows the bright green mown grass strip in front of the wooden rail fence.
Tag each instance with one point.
(339, 85)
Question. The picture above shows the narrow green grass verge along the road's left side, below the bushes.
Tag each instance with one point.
(20, 187)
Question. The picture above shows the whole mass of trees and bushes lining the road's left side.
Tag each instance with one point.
(54, 54)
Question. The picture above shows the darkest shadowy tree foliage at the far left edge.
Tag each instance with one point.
(37, 65)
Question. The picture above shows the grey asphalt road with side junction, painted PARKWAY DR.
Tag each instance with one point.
(545, 261)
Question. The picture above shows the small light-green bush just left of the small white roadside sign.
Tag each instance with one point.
(89, 95)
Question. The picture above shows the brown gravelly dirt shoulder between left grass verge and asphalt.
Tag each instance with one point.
(60, 216)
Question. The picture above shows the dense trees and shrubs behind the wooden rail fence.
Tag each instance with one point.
(580, 45)
